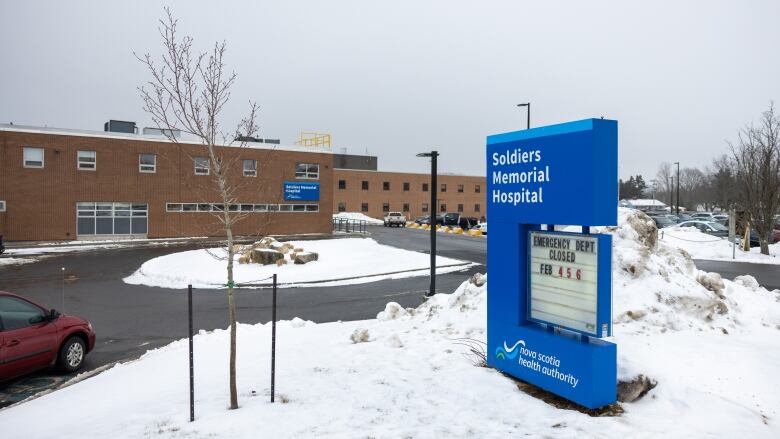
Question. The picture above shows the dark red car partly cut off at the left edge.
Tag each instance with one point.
(32, 338)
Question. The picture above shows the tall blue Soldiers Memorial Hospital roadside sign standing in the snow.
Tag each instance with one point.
(550, 292)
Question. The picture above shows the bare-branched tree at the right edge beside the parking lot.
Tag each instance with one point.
(757, 166)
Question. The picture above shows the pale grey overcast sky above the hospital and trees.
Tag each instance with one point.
(396, 78)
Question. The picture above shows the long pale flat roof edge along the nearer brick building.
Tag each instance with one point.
(149, 138)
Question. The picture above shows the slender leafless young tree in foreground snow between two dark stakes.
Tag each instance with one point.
(188, 91)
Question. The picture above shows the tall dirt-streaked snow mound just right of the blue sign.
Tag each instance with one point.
(657, 287)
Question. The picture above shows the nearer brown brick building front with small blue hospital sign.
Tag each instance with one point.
(67, 184)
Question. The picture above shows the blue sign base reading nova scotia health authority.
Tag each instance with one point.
(580, 369)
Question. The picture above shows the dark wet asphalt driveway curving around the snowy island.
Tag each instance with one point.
(130, 319)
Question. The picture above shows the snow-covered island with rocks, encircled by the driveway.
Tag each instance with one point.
(341, 262)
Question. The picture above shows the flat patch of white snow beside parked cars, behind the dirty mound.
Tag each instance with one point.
(703, 246)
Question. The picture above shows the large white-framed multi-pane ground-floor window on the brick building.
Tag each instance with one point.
(112, 218)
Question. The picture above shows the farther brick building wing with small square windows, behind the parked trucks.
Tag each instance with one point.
(375, 193)
